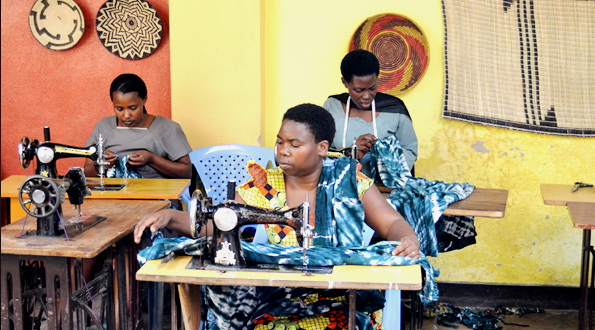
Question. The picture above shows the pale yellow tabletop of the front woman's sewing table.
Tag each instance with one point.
(343, 277)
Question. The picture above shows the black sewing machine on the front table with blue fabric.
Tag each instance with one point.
(225, 250)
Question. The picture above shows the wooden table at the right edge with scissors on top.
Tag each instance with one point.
(581, 205)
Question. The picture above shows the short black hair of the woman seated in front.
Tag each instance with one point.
(316, 118)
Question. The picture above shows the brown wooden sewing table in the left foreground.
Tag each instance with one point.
(58, 253)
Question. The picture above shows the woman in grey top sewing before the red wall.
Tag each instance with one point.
(152, 146)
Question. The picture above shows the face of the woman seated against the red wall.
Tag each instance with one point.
(129, 109)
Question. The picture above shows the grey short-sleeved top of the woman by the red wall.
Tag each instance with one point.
(164, 138)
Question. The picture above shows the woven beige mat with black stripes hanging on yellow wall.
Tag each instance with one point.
(523, 65)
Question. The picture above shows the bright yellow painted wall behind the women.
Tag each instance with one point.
(288, 52)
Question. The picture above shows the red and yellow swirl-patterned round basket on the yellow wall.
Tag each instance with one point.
(400, 46)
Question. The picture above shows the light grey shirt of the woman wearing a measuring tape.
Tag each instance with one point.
(387, 124)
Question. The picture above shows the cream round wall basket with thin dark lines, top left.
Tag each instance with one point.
(57, 24)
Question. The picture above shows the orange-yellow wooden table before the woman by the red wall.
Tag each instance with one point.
(133, 189)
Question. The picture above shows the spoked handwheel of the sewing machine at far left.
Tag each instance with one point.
(42, 193)
